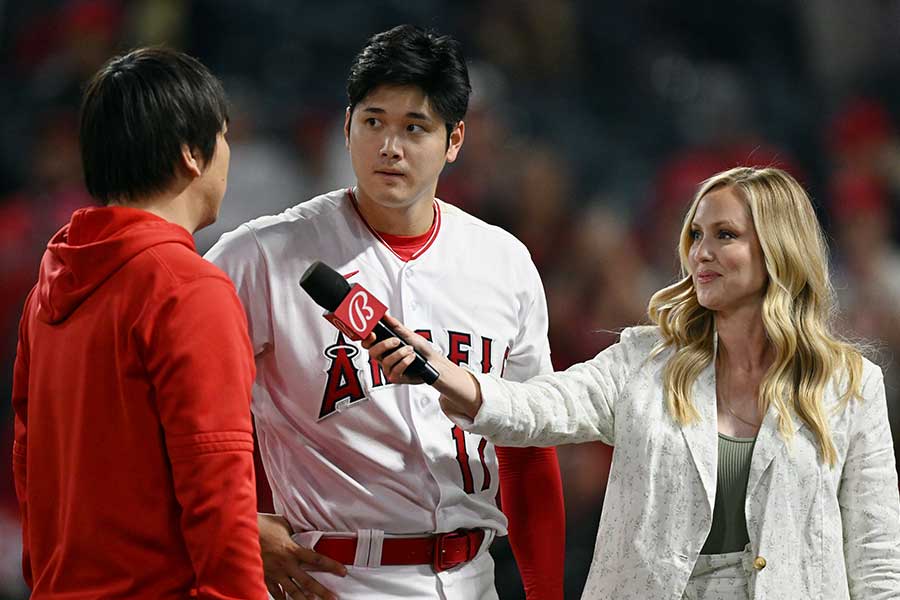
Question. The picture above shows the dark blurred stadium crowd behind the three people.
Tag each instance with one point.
(590, 126)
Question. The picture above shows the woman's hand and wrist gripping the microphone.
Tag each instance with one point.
(460, 391)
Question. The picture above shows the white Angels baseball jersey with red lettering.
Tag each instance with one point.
(343, 449)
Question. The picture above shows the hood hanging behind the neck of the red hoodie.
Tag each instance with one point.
(94, 244)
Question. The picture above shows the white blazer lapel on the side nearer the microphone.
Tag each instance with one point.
(701, 437)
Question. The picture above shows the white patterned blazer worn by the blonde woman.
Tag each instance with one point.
(815, 531)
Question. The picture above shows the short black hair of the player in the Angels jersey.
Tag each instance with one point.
(409, 55)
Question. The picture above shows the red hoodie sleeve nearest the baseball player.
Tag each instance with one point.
(199, 359)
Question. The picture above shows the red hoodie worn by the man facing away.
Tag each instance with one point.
(133, 447)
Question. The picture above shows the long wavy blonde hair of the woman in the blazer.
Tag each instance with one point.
(798, 306)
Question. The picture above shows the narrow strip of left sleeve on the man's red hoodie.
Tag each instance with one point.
(20, 441)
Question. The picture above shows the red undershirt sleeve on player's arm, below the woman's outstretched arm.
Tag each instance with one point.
(531, 489)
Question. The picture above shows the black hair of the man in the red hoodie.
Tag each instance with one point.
(138, 111)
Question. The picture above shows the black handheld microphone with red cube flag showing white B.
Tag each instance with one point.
(356, 312)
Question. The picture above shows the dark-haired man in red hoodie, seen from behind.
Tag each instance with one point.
(133, 446)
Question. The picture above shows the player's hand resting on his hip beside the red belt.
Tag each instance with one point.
(285, 563)
